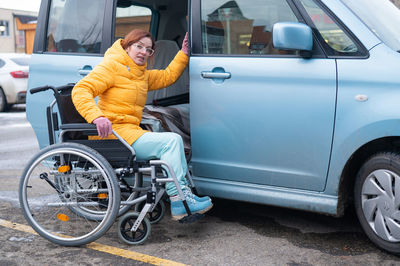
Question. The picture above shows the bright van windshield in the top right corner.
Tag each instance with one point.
(381, 16)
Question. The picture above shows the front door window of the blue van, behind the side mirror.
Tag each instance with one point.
(242, 26)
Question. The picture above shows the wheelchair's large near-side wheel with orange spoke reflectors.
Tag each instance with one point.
(69, 194)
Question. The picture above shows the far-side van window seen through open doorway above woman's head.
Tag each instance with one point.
(129, 17)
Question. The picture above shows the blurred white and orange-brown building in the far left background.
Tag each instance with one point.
(17, 30)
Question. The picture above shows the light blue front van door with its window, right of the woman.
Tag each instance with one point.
(258, 115)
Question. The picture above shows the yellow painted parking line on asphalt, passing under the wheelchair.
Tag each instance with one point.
(100, 247)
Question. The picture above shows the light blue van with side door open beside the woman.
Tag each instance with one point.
(293, 103)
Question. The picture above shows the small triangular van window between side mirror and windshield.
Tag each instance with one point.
(331, 32)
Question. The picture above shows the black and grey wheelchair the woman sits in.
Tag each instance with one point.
(72, 191)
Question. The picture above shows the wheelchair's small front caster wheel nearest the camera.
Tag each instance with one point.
(125, 225)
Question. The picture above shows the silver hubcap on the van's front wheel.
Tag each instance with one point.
(380, 199)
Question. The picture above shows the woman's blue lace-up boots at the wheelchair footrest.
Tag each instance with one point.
(178, 210)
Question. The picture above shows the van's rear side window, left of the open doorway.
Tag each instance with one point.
(75, 26)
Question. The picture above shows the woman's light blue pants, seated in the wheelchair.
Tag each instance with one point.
(166, 146)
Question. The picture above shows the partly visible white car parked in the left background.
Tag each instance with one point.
(14, 71)
